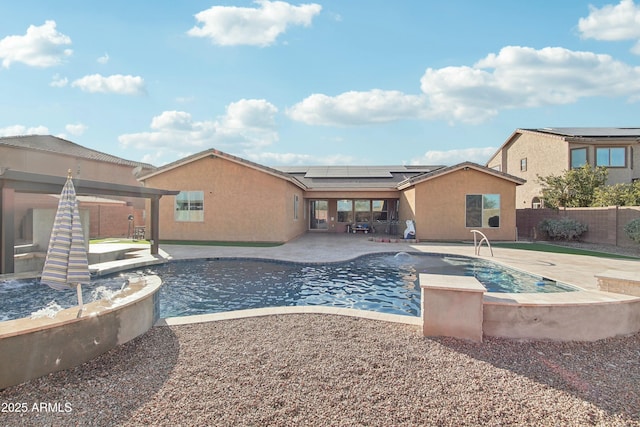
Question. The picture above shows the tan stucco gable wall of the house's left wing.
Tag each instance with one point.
(240, 203)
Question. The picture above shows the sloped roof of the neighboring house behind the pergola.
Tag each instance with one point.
(53, 144)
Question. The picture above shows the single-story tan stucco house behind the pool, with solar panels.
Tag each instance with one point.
(227, 198)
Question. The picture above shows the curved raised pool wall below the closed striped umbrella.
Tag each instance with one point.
(31, 348)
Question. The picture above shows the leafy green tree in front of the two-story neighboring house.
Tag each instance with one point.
(574, 188)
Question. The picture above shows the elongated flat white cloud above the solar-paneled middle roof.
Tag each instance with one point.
(357, 108)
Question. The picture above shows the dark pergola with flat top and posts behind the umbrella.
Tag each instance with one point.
(12, 182)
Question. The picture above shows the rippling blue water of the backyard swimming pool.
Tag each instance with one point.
(385, 283)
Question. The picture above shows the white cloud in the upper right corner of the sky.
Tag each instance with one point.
(613, 23)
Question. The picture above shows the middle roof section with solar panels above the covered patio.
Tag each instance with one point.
(357, 178)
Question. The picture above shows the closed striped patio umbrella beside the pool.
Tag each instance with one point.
(66, 265)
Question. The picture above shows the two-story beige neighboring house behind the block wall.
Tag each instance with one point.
(530, 153)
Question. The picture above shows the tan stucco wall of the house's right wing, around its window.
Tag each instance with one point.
(440, 203)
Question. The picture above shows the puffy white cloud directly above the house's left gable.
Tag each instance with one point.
(247, 124)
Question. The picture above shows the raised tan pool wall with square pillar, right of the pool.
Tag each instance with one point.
(459, 307)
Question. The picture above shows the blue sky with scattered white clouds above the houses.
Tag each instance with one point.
(329, 82)
